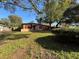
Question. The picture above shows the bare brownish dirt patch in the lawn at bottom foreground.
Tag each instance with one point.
(29, 53)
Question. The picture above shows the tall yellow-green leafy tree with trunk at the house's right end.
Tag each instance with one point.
(54, 9)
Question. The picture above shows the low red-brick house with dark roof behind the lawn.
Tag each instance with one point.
(34, 27)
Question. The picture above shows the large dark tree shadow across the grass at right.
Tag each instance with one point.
(65, 41)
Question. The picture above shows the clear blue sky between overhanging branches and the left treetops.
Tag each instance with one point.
(27, 16)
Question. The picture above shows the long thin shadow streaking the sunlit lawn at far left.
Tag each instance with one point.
(10, 36)
